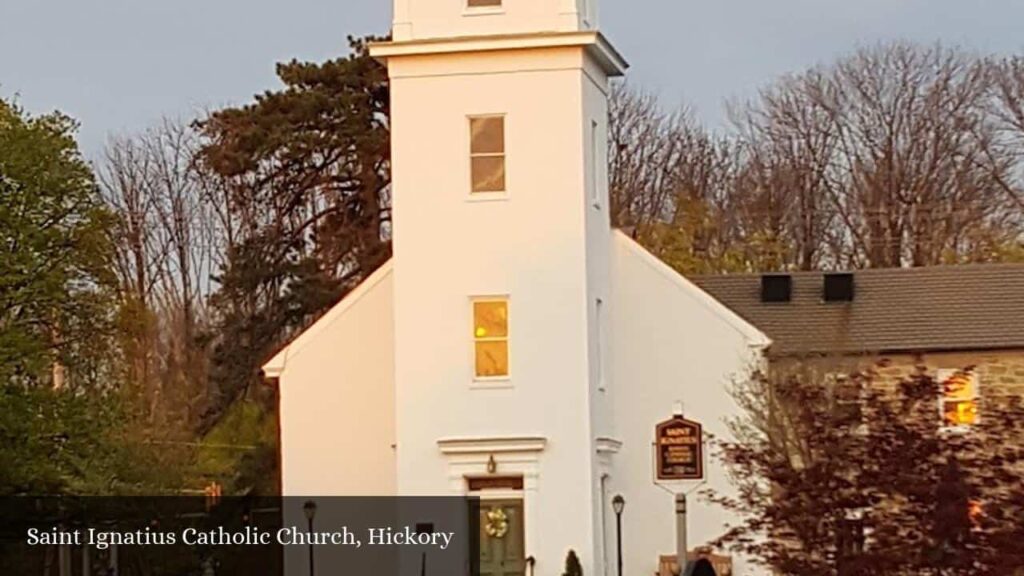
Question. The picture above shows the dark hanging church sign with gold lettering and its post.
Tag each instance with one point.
(679, 458)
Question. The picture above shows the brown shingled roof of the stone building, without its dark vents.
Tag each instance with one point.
(976, 307)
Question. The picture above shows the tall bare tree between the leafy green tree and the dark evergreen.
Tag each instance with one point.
(172, 241)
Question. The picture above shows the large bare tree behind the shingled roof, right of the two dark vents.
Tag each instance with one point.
(918, 150)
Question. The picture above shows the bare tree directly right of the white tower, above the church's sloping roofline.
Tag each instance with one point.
(671, 184)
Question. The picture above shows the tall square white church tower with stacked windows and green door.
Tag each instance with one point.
(499, 112)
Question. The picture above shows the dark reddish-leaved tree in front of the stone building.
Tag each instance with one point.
(861, 475)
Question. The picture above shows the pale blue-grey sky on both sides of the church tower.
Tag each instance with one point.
(120, 66)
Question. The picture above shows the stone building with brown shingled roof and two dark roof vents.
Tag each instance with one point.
(965, 324)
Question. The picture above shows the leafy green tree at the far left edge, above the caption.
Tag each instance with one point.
(62, 420)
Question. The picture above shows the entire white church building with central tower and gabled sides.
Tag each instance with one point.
(516, 347)
